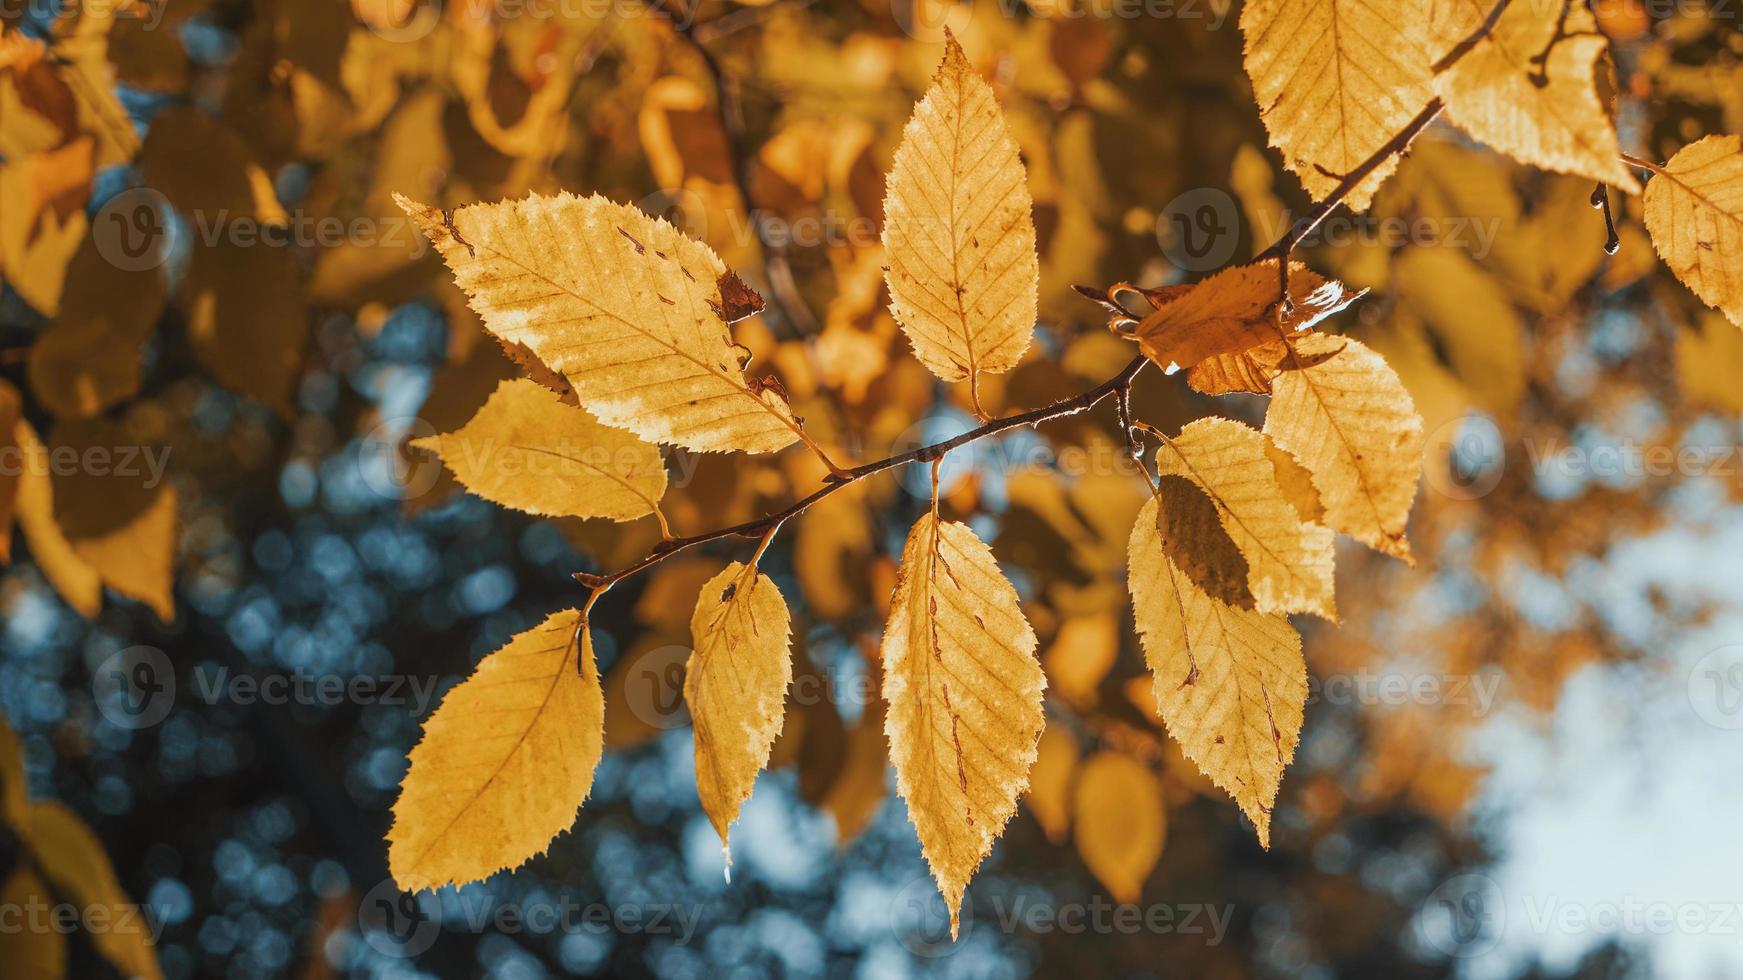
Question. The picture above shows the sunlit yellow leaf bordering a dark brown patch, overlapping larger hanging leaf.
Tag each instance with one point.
(1289, 559)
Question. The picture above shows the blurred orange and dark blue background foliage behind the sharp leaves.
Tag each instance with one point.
(294, 536)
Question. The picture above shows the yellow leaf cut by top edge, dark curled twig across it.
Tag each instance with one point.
(1529, 86)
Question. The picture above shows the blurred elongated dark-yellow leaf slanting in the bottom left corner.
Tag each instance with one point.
(72, 861)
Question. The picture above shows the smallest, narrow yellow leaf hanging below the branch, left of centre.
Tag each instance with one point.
(736, 686)
